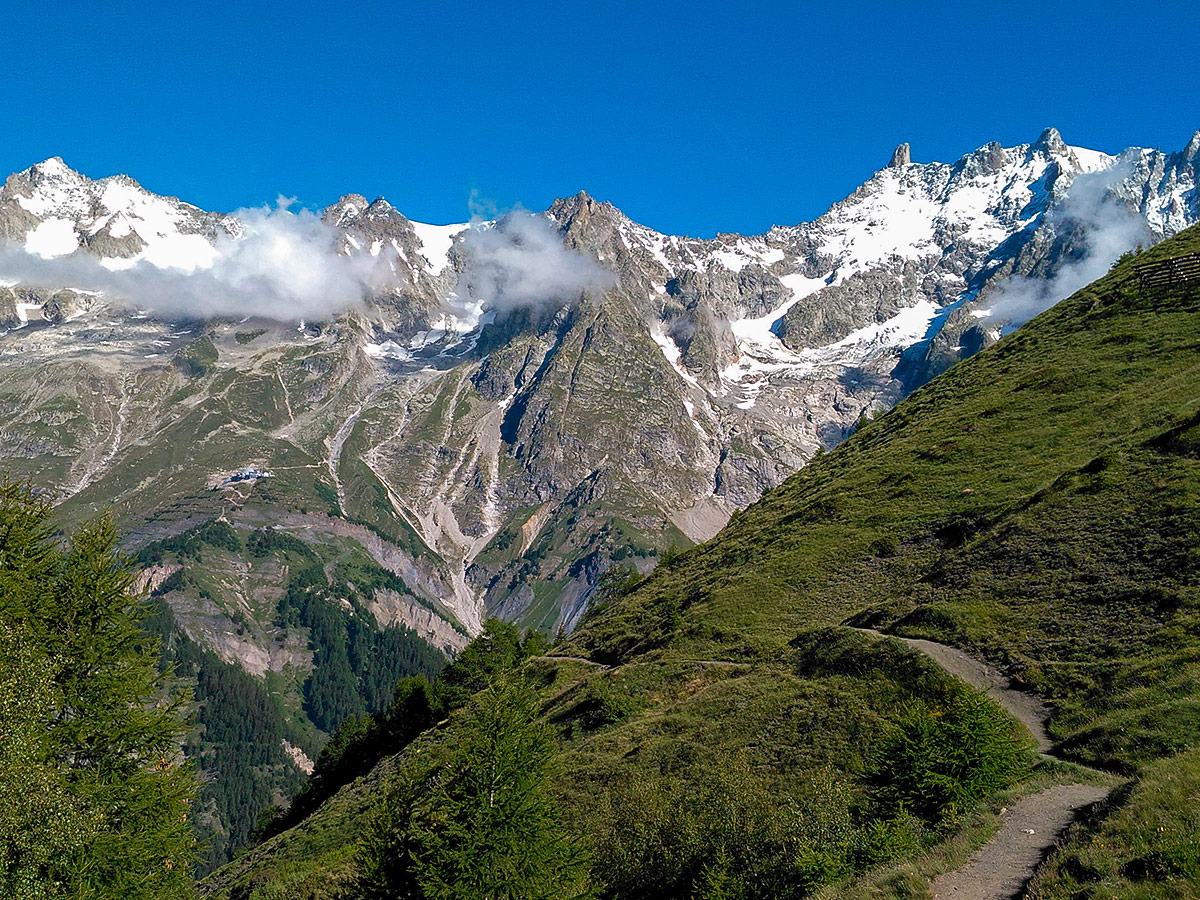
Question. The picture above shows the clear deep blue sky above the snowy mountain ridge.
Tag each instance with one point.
(693, 118)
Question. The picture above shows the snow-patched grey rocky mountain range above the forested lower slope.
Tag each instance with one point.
(500, 459)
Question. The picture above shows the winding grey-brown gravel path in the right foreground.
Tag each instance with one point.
(1001, 869)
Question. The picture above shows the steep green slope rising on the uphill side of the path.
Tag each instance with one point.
(1037, 503)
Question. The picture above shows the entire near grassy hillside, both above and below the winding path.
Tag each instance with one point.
(1040, 506)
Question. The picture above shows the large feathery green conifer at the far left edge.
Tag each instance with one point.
(110, 736)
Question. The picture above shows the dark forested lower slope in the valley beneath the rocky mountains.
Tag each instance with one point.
(249, 734)
